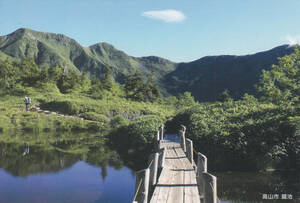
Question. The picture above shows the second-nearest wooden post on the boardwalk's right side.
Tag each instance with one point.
(201, 168)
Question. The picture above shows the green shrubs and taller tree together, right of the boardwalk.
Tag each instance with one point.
(251, 134)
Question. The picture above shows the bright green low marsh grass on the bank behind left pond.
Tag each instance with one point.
(97, 113)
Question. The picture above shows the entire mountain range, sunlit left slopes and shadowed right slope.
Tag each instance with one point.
(206, 78)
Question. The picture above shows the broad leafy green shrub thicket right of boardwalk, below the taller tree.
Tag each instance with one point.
(241, 135)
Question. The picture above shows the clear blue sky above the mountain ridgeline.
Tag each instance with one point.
(174, 29)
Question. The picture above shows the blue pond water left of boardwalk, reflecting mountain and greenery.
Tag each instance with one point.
(62, 168)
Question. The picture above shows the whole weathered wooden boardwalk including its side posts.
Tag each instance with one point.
(172, 175)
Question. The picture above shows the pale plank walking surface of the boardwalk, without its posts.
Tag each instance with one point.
(177, 181)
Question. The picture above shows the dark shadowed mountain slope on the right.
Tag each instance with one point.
(209, 76)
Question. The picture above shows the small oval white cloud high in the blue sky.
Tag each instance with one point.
(168, 16)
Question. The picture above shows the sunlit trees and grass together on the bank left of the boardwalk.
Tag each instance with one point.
(102, 101)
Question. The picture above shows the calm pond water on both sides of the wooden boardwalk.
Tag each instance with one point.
(57, 168)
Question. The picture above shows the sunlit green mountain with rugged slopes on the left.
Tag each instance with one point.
(49, 49)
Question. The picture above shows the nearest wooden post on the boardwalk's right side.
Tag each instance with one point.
(210, 194)
